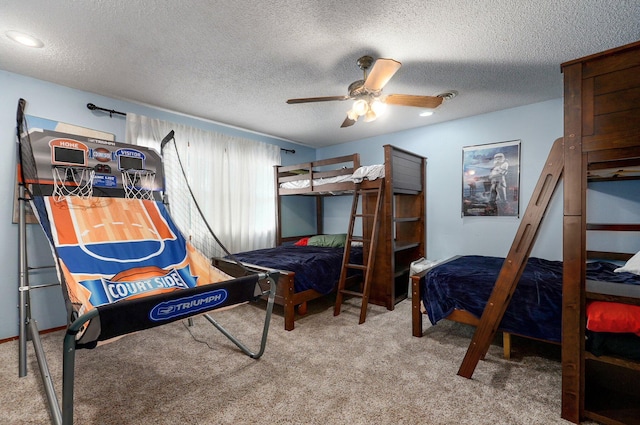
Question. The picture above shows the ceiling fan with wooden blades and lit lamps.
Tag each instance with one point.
(367, 93)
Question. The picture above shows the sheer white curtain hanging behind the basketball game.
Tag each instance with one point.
(232, 180)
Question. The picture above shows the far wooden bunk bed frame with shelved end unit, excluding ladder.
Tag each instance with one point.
(402, 228)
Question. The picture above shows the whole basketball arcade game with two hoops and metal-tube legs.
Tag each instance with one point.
(122, 263)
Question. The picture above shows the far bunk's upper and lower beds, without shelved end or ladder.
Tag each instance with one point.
(309, 265)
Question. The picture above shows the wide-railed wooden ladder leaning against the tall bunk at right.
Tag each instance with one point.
(516, 260)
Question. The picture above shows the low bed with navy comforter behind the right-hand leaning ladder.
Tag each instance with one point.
(458, 289)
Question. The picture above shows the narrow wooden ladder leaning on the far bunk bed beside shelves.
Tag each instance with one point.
(369, 242)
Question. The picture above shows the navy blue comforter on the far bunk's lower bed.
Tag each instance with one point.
(314, 267)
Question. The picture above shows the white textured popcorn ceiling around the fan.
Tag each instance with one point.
(237, 62)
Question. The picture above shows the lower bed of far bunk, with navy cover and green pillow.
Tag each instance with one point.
(306, 272)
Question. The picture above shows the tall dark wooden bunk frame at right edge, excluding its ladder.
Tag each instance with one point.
(602, 131)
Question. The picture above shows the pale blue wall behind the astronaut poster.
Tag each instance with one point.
(537, 126)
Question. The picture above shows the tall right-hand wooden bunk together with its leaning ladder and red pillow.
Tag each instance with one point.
(601, 143)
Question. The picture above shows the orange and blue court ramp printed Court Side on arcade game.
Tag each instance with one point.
(113, 249)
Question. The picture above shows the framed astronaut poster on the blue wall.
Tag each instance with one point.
(491, 179)
